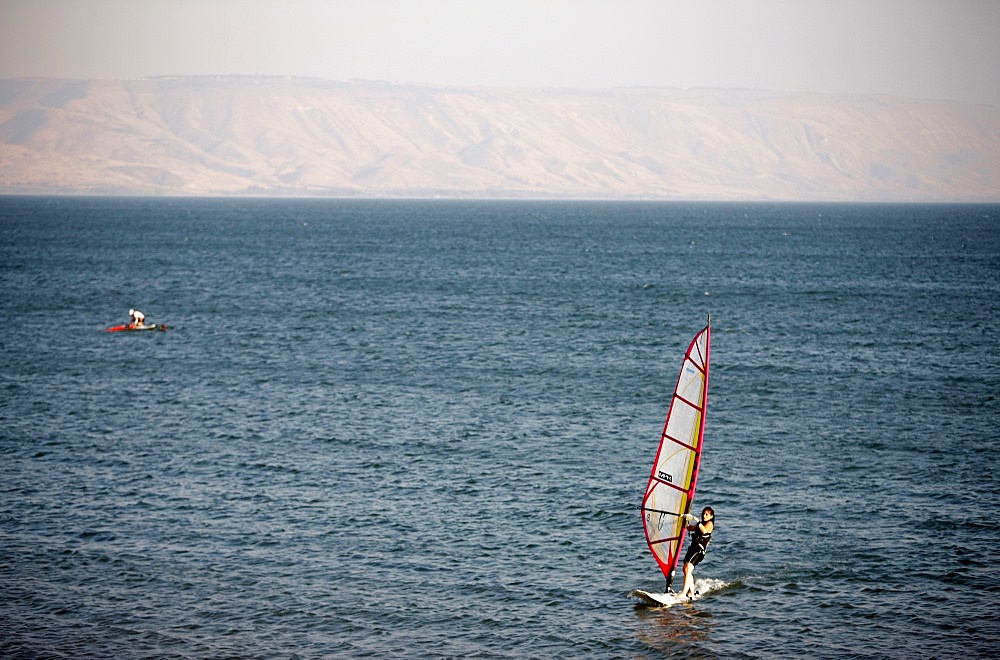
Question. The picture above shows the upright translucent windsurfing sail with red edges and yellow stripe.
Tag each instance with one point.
(674, 476)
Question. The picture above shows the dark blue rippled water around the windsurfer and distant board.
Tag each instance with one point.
(422, 428)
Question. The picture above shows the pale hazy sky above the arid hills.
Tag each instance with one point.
(943, 49)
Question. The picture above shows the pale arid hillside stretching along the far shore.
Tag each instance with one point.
(278, 136)
